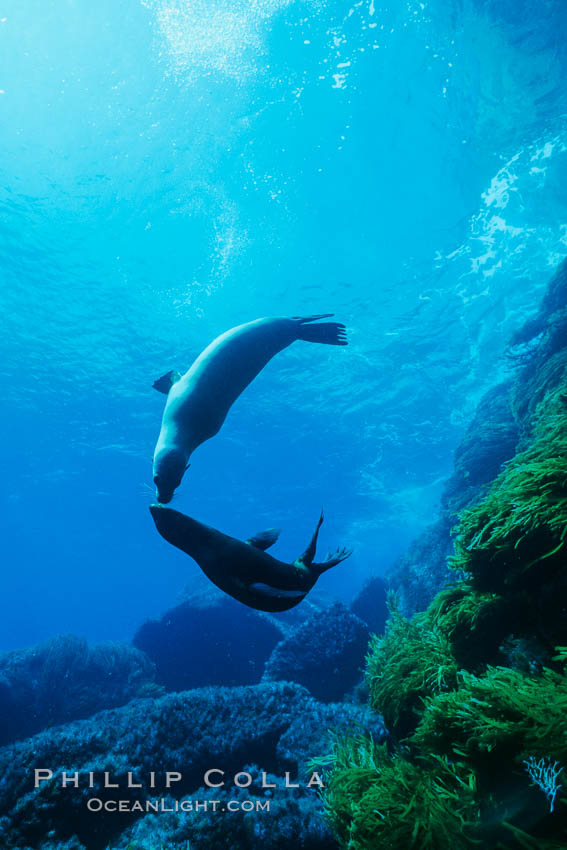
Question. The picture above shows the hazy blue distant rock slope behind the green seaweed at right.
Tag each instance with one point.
(503, 424)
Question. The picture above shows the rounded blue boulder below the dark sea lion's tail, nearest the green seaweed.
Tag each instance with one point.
(325, 654)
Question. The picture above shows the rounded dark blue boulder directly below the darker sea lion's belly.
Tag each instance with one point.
(238, 642)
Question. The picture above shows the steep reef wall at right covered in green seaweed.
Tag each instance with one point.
(474, 688)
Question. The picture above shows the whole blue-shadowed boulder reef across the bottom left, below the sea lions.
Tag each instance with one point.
(51, 703)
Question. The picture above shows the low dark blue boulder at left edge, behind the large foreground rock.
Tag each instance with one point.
(64, 679)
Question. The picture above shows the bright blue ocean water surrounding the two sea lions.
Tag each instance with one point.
(171, 169)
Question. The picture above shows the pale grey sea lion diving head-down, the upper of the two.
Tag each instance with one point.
(198, 401)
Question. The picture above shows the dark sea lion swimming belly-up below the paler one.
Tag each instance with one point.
(243, 569)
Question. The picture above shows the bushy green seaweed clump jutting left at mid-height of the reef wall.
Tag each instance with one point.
(411, 661)
